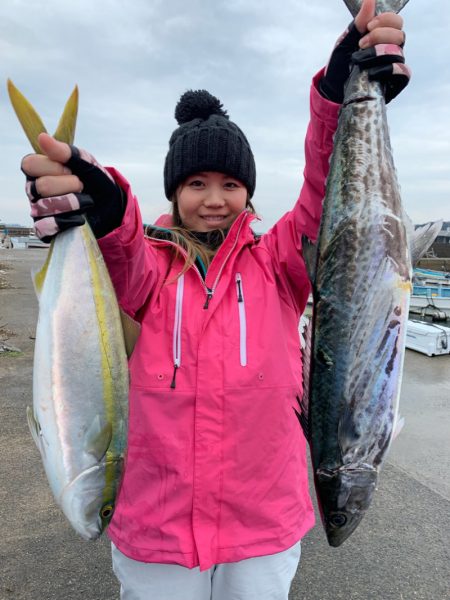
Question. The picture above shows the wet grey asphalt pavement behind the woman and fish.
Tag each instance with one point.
(400, 551)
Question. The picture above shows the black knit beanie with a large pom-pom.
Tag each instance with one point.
(206, 140)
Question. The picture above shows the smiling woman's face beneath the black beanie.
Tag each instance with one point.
(210, 200)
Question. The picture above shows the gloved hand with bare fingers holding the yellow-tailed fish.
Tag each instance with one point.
(66, 186)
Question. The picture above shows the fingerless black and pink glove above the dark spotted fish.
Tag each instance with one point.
(384, 63)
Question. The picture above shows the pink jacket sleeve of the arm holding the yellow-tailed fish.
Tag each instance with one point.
(131, 261)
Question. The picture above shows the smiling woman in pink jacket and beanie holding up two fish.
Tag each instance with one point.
(214, 499)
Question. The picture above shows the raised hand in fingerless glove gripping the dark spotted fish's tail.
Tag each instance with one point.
(375, 43)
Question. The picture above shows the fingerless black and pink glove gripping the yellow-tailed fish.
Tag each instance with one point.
(102, 202)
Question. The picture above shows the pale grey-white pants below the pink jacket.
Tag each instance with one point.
(260, 578)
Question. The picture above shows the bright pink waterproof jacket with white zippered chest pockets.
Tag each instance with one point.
(216, 465)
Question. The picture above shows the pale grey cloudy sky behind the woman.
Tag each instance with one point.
(132, 60)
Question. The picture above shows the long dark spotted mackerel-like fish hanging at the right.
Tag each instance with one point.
(361, 275)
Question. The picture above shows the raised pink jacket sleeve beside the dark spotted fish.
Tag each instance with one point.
(283, 240)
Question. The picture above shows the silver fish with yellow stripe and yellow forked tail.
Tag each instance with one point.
(80, 376)
